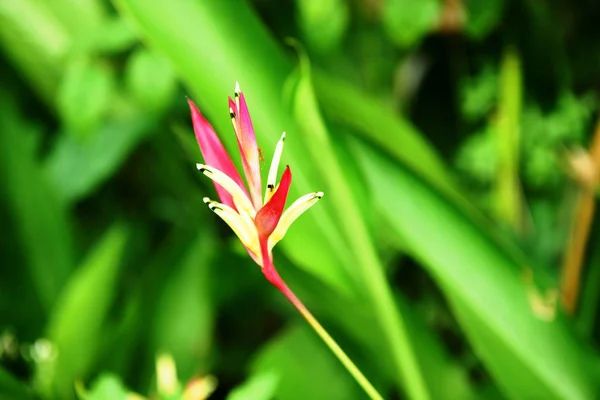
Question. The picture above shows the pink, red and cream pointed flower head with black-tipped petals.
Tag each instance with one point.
(259, 222)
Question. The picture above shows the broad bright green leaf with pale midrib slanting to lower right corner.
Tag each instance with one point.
(483, 283)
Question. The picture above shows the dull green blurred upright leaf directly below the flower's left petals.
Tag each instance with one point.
(183, 322)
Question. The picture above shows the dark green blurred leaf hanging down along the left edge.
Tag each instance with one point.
(40, 218)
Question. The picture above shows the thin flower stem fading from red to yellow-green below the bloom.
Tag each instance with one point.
(330, 342)
